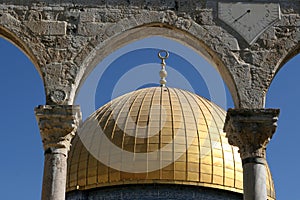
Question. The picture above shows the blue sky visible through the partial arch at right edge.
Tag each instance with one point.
(283, 93)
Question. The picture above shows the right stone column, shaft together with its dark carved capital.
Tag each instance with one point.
(251, 130)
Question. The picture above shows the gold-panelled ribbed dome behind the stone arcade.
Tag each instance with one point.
(156, 135)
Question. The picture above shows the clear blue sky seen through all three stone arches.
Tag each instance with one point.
(21, 90)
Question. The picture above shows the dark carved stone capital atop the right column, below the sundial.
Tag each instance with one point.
(251, 130)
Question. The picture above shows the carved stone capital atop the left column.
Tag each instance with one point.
(58, 124)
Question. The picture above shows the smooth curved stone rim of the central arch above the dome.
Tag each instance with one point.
(117, 41)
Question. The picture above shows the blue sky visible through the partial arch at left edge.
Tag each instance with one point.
(22, 89)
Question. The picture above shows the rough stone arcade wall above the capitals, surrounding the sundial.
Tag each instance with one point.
(66, 32)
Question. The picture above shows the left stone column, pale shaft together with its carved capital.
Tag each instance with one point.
(58, 124)
